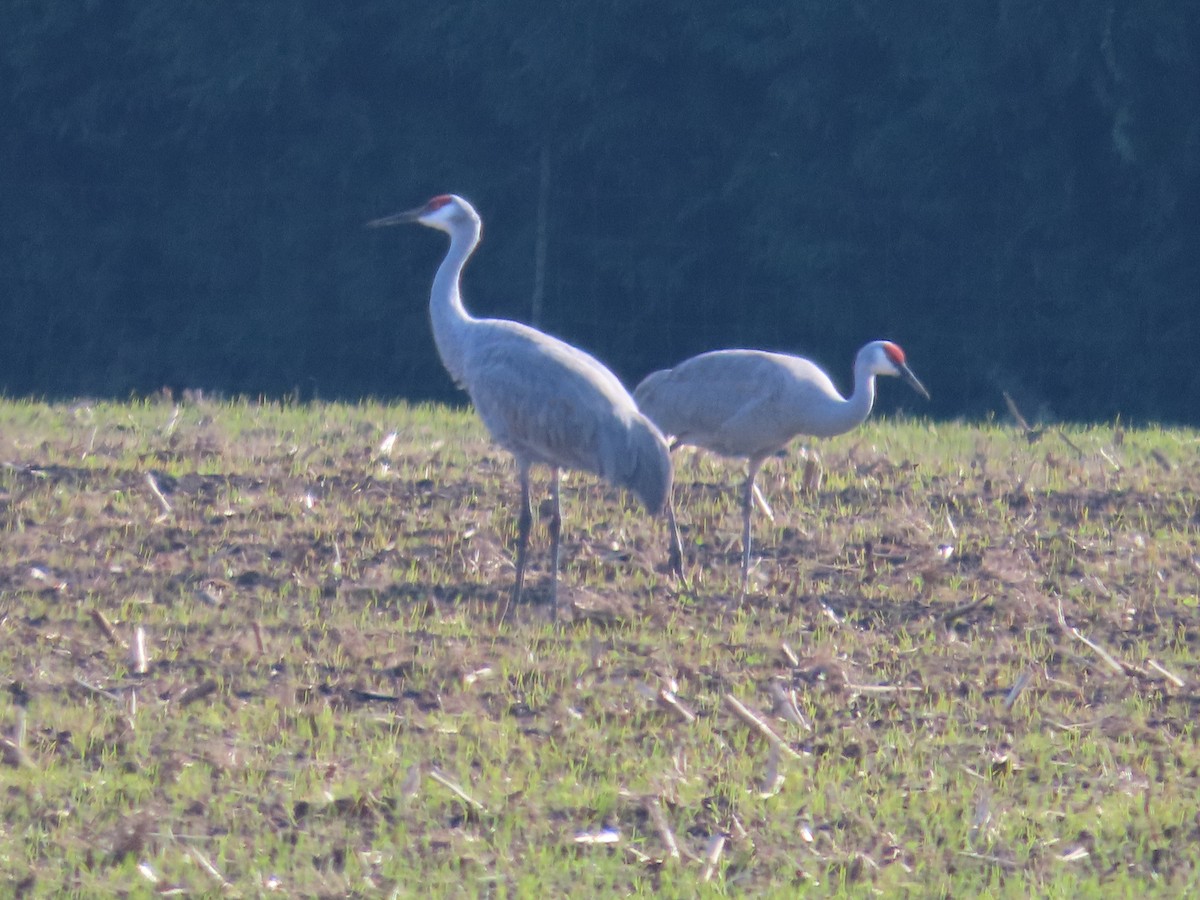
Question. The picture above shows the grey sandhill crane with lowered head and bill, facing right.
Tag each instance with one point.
(751, 404)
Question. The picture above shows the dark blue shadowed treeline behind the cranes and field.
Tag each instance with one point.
(1009, 189)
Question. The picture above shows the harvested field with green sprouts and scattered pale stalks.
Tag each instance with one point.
(254, 650)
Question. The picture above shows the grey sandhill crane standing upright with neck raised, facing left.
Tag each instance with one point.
(543, 400)
